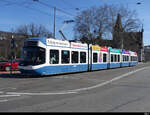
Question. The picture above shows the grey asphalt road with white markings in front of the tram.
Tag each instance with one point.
(114, 90)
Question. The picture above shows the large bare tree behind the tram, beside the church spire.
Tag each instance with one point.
(97, 23)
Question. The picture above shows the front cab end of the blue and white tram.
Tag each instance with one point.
(34, 56)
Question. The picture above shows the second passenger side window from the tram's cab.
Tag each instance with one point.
(65, 56)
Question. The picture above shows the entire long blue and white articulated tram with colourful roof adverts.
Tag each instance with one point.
(48, 56)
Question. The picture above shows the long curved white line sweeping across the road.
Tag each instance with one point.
(78, 90)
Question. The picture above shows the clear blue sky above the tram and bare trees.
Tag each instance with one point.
(14, 13)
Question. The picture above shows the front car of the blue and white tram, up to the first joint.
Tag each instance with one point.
(43, 56)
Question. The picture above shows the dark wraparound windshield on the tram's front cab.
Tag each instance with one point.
(33, 56)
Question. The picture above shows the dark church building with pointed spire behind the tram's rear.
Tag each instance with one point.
(128, 40)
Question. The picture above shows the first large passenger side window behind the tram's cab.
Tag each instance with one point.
(54, 56)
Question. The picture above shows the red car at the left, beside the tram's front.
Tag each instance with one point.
(6, 66)
